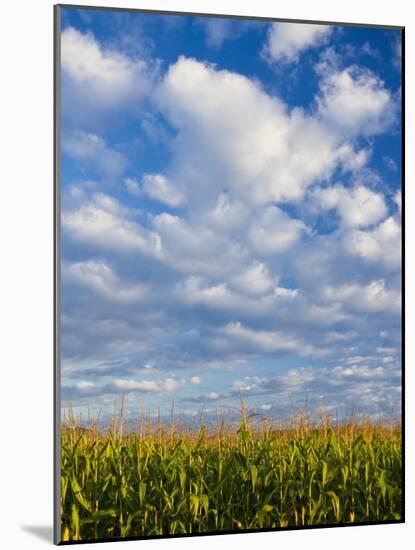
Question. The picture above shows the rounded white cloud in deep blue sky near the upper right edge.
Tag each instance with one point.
(354, 101)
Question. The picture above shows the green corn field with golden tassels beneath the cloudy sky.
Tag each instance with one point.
(160, 481)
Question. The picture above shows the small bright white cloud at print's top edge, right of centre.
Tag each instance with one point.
(286, 41)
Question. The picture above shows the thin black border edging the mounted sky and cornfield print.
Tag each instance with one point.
(57, 272)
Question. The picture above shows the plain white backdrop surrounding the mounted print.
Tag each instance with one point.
(26, 267)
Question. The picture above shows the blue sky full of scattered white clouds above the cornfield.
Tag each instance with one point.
(230, 215)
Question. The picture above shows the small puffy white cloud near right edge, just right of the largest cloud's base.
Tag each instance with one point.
(357, 207)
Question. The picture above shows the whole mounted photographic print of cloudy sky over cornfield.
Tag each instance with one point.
(228, 274)
